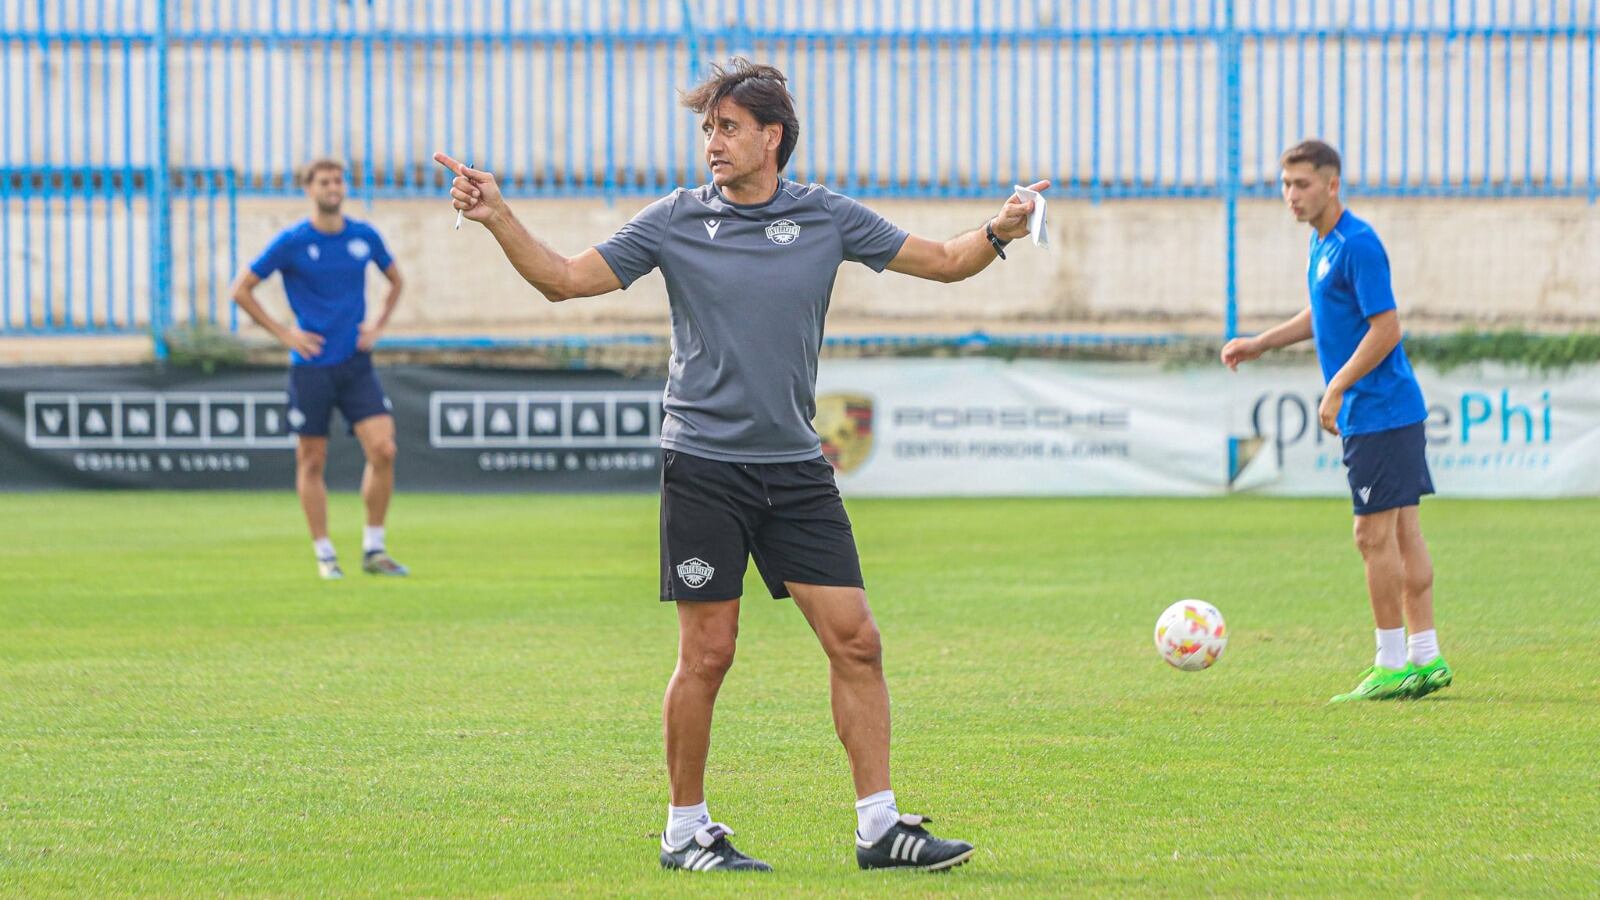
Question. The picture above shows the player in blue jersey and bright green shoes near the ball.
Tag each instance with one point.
(1375, 406)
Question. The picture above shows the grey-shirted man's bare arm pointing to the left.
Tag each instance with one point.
(556, 276)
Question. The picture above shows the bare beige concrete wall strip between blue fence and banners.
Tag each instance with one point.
(1153, 262)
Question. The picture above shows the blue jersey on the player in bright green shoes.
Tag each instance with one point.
(1348, 275)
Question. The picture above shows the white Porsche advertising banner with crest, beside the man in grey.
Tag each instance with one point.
(985, 427)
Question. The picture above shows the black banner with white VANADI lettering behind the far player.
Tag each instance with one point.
(471, 430)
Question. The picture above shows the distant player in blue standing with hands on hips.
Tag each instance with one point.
(324, 262)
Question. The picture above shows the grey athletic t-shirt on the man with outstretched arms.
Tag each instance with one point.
(750, 289)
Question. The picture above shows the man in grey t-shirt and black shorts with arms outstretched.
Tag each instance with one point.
(750, 263)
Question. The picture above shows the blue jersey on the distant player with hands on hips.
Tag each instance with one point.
(326, 276)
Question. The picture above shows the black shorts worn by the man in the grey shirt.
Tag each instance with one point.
(716, 516)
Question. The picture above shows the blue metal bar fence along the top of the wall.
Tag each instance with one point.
(935, 98)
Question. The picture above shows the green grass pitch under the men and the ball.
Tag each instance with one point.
(185, 710)
